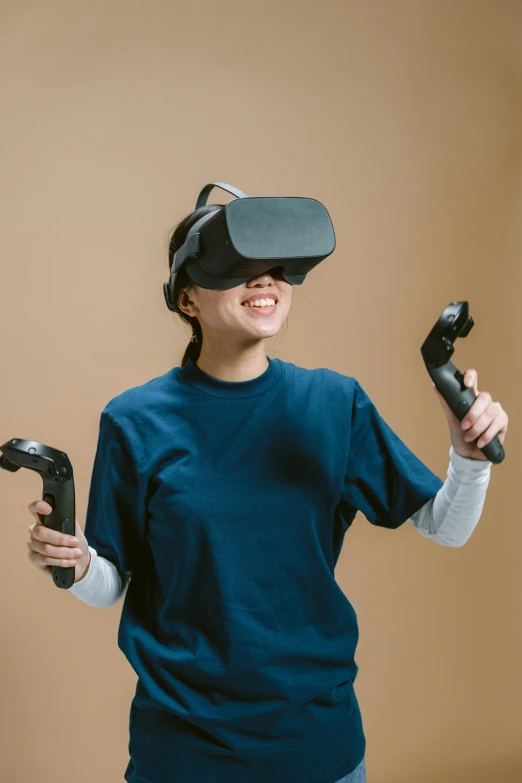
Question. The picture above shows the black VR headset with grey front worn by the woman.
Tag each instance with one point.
(249, 236)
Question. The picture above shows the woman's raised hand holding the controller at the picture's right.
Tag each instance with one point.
(485, 418)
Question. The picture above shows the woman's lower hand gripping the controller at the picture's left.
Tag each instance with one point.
(47, 547)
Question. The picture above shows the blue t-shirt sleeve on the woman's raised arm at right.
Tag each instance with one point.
(383, 478)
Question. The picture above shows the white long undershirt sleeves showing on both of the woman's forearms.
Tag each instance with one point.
(448, 518)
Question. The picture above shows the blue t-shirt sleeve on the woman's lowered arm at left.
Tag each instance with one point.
(115, 520)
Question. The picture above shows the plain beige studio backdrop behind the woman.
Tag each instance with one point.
(405, 120)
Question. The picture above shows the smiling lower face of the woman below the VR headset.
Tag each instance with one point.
(226, 311)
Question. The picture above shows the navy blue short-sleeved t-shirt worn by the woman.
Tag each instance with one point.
(229, 502)
